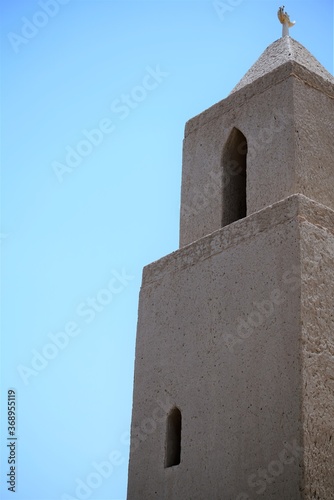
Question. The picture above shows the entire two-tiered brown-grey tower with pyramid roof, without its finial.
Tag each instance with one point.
(234, 372)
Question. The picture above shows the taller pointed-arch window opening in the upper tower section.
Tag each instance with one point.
(234, 164)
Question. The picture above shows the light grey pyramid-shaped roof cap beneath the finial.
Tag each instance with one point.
(282, 50)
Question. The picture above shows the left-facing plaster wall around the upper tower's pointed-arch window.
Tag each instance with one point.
(269, 133)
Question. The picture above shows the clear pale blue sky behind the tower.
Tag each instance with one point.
(94, 98)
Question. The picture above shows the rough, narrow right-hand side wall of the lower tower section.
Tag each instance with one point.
(317, 287)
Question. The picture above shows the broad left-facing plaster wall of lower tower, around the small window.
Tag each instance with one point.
(239, 387)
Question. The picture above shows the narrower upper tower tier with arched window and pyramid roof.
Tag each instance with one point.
(270, 138)
